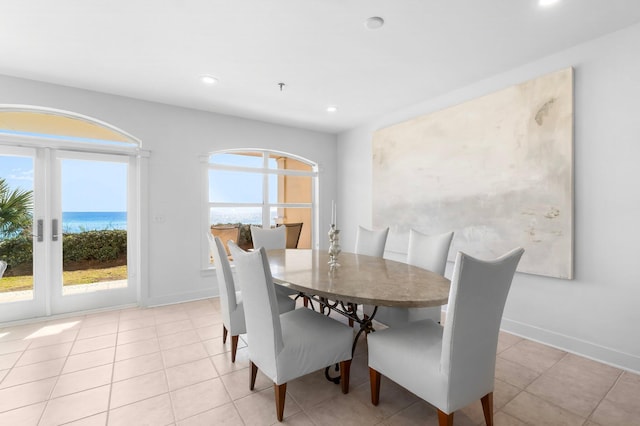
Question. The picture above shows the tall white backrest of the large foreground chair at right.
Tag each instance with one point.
(477, 297)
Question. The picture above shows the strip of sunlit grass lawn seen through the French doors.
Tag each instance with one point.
(83, 276)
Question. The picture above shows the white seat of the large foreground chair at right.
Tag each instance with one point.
(411, 356)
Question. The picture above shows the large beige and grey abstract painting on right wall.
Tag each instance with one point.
(497, 170)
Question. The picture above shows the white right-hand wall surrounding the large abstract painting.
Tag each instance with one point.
(597, 314)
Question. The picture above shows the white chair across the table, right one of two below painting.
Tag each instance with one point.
(427, 252)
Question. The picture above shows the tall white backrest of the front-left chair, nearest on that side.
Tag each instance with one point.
(260, 307)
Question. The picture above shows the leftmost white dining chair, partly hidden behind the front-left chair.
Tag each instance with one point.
(231, 304)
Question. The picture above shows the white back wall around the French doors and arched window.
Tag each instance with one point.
(176, 138)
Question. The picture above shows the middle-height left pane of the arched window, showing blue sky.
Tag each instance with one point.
(235, 187)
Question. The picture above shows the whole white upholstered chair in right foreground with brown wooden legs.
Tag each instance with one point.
(453, 365)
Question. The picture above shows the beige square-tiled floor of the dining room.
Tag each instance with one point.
(168, 366)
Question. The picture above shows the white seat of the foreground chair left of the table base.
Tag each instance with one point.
(312, 341)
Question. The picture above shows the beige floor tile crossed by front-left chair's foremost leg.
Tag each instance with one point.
(259, 408)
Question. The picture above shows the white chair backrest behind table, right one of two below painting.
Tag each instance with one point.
(429, 251)
